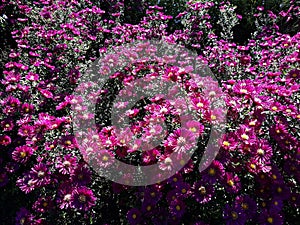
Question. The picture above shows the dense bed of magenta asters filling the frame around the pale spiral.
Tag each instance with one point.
(45, 179)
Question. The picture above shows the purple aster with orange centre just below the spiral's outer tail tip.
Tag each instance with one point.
(213, 173)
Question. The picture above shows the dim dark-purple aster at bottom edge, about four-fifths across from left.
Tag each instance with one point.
(233, 215)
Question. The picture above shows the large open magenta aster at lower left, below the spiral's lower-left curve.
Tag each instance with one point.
(82, 198)
